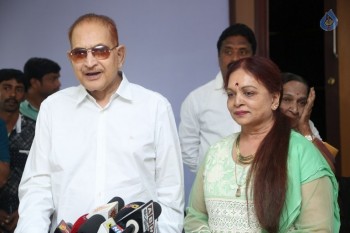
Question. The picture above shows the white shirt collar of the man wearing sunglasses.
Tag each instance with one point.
(123, 91)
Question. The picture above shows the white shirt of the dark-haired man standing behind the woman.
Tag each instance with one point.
(204, 120)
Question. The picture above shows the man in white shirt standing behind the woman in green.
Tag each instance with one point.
(204, 114)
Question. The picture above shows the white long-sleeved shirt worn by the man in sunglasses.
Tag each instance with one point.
(84, 155)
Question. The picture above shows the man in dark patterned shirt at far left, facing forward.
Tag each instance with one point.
(20, 131)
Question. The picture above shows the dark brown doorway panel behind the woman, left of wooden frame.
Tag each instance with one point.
(297, 46)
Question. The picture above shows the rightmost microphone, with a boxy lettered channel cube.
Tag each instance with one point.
(140, 215)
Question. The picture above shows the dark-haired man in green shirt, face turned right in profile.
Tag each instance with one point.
(42, 76)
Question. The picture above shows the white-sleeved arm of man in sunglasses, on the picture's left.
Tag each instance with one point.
(35, 193)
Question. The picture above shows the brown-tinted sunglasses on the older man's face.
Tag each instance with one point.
(100, 52)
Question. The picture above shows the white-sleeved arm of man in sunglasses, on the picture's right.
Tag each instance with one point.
(169, 172)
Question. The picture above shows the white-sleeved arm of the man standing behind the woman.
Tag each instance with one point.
(189, 134)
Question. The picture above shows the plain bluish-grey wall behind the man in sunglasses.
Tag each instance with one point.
(171, 44)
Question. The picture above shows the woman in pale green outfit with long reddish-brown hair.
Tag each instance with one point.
(267, 177)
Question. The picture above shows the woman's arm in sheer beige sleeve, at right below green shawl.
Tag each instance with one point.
(317, 207)
